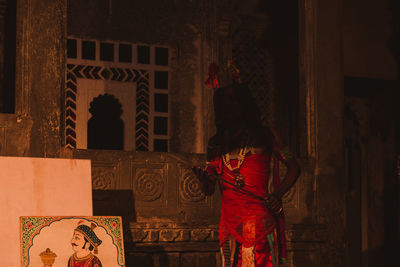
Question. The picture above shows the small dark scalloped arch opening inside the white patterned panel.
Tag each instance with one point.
(105, 127)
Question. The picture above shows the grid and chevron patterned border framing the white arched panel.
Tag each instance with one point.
(144, 65)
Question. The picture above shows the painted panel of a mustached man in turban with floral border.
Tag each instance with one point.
(95, 241)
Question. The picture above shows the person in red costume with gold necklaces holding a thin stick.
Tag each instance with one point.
(239, 156)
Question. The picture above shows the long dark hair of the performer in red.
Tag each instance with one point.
(238, 122)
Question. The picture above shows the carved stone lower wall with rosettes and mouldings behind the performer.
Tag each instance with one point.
(168, 221)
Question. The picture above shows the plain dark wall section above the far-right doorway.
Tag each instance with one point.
(366, 32)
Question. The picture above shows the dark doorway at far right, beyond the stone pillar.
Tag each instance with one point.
(372, 133)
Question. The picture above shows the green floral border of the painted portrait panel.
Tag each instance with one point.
(31, 226)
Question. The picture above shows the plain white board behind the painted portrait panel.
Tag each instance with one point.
(39, 187)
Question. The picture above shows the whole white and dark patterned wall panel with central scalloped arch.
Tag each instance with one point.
(117, 96)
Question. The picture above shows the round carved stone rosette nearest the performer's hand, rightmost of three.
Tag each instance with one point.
(190, 190)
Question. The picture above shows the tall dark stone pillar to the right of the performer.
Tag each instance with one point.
(321, 103)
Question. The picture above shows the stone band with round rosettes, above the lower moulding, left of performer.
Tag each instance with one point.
(156, 181)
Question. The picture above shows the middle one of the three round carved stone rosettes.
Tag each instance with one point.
(149, 185)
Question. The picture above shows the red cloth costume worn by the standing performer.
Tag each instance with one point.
(244, 217)
